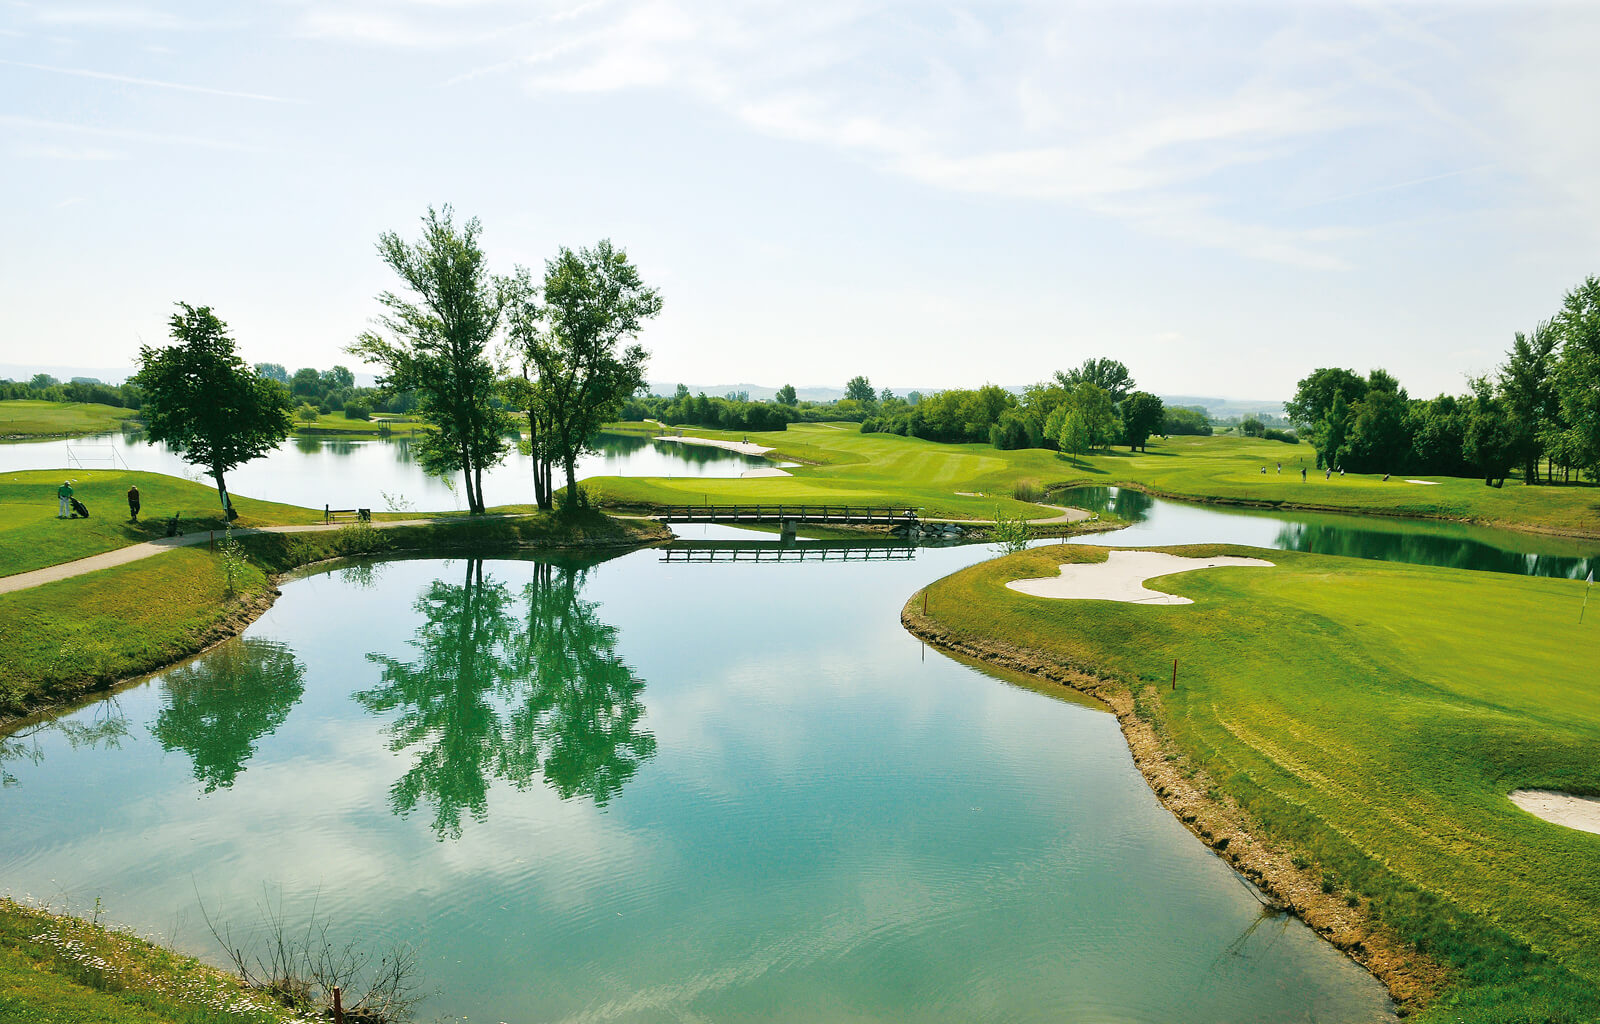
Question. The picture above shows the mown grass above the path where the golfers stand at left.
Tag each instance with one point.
(31, 537)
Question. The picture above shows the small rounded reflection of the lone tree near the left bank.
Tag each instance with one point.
(218, 708)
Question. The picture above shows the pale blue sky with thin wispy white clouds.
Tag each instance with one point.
(1225, 198)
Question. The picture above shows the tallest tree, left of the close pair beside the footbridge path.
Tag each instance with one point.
(438, 346)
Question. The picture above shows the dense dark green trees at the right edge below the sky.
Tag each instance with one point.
(1540, 412)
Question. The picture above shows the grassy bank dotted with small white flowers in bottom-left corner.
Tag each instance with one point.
(63, 970)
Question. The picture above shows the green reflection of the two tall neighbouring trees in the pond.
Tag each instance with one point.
(494, 695)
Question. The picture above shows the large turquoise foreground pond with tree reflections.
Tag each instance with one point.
(657, 788)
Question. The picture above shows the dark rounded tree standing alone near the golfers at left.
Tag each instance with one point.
(204, 401)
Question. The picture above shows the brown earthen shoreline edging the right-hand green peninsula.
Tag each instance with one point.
(1410, 977)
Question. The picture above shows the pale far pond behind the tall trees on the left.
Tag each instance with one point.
(377, 474)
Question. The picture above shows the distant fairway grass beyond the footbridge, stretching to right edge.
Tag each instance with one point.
(846, 465)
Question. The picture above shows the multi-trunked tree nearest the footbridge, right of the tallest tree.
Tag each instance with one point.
(575, 348)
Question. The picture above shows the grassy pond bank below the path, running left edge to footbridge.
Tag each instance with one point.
(84, 634)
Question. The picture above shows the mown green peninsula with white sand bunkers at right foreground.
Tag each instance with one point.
(1367, 721)
